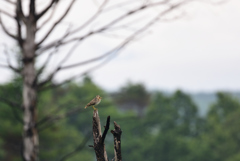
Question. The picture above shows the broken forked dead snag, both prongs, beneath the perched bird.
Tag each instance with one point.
(98, 138)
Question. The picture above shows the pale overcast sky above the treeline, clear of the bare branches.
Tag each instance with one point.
(199, 52)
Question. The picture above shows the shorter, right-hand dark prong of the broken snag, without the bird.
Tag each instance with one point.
(117, 132)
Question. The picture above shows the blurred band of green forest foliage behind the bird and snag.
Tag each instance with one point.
(168, 127)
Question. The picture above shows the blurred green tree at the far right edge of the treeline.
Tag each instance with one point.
(222, 132)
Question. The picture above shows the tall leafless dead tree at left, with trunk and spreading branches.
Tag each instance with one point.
(31, 16)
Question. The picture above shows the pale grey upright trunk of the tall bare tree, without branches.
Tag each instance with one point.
(30, 134)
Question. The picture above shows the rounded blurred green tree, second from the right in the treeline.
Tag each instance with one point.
(171, 122)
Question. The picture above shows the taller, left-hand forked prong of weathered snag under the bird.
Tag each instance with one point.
(98, 138)
